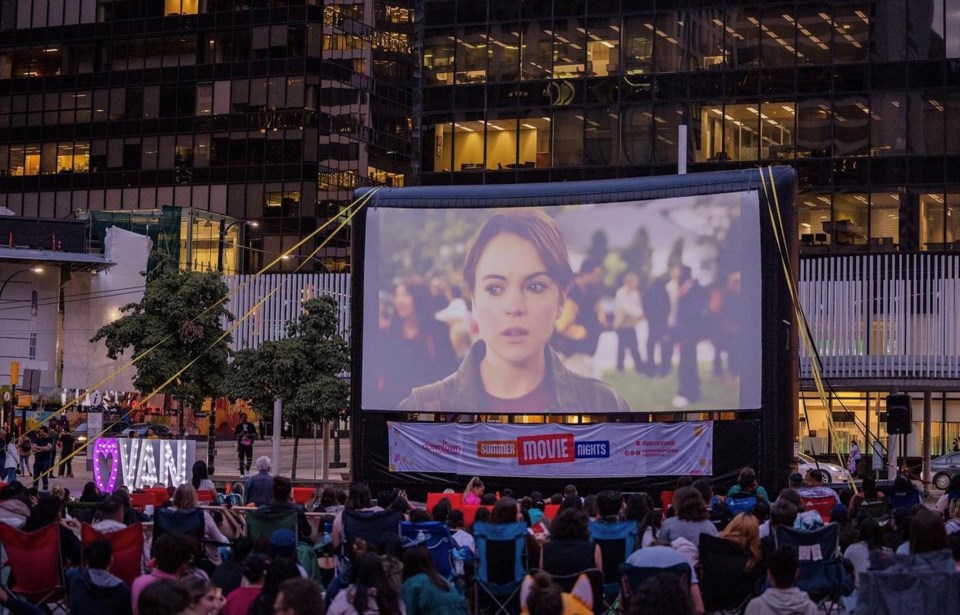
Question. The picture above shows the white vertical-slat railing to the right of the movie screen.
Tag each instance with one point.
(883, 316)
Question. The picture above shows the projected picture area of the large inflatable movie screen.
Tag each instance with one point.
(642, 306)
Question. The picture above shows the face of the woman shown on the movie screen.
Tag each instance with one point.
(516, 303)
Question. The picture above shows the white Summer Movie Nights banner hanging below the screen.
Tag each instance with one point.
(558, 451)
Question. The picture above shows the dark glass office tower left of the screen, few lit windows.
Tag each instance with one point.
(265, 110)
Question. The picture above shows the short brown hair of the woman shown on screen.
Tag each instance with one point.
(532, 225)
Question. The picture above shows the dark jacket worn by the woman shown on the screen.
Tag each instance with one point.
(569, 392)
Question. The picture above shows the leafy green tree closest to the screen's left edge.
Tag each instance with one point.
(303, 370)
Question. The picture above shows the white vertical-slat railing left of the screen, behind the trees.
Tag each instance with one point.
(268, 322)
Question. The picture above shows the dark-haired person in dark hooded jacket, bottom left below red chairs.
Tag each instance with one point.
(95, 590)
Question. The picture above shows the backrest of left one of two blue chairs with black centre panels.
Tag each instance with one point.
(500, 548)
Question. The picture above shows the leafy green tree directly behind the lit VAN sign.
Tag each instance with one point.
(182, 314)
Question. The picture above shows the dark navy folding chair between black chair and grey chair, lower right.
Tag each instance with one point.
(820, 571)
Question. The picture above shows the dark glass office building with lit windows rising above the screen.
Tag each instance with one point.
(855, 95)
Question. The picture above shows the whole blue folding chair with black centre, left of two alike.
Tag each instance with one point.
(500, 566)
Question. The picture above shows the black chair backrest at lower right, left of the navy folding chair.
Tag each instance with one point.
(724, 582)
